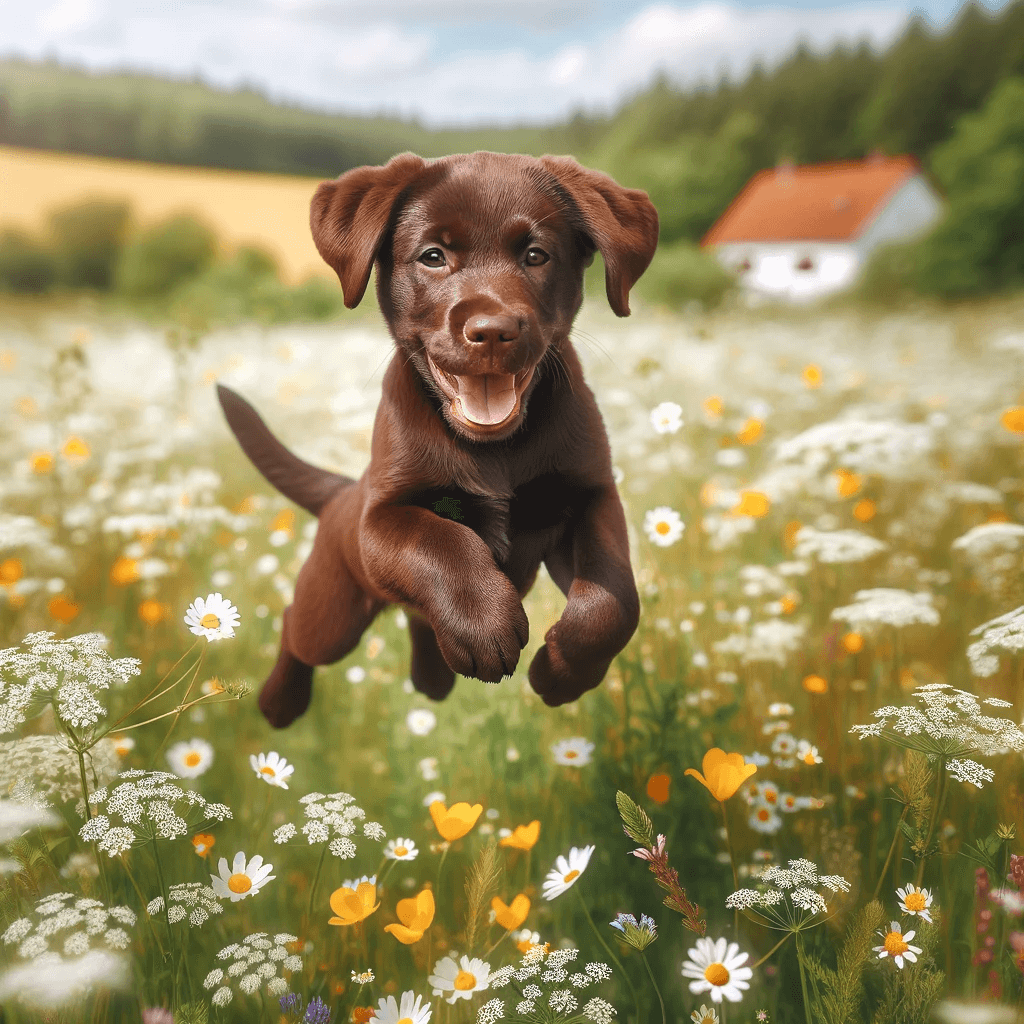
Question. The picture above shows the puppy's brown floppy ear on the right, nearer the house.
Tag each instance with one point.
(622, 223)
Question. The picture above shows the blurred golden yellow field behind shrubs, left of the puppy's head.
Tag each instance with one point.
(272, 210)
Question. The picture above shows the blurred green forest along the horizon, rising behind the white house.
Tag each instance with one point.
(954, 100)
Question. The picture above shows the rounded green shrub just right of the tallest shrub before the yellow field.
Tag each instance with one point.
(164, 258)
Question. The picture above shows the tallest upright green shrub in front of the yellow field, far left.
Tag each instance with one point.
(88, 241)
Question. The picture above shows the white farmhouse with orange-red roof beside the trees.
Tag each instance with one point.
(801, 233)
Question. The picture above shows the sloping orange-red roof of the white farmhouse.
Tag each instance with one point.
(818, 202)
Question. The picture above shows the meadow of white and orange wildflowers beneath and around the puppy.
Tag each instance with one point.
(796, 797)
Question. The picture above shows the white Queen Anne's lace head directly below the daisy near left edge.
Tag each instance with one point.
(147, 806)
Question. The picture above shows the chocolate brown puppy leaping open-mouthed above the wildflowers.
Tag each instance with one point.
(489, 453)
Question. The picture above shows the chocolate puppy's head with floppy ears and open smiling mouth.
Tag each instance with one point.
(480, 266)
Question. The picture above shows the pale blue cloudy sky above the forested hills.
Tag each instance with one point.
(447, 62)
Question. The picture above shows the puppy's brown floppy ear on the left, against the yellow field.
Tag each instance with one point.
(349, 219)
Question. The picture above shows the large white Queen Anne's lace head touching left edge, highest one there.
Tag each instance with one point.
(68, 674)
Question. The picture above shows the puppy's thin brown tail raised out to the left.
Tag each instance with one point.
(309, 487)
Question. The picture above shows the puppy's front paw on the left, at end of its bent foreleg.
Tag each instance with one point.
(487, 643)
